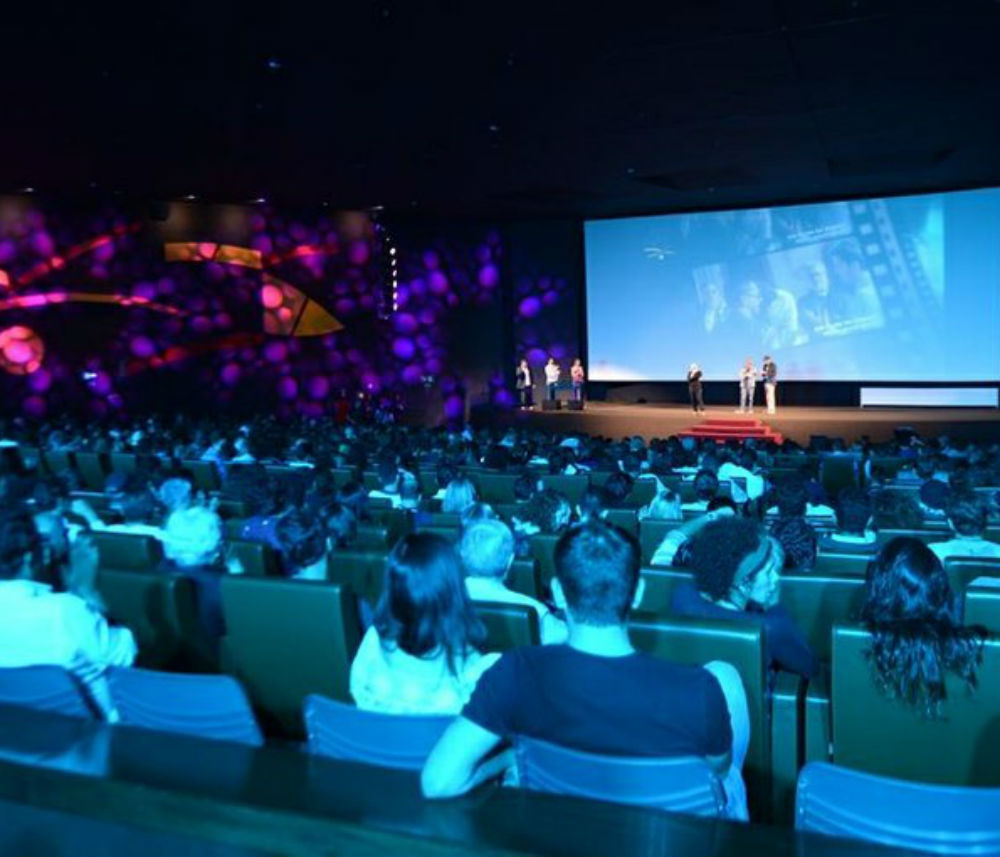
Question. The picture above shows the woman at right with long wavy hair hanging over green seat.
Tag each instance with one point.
(917, 638)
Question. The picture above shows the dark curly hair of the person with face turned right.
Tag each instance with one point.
(725, 554)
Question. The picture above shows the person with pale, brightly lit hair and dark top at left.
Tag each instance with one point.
(192, 546)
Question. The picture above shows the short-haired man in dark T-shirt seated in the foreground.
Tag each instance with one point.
(596, 694)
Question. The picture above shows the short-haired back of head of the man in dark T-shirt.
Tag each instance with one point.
(597, 566)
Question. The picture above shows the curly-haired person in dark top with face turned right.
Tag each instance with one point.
(737, 574)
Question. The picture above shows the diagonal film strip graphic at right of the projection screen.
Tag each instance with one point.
(904, 288)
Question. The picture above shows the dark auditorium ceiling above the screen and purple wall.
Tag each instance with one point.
(501, 108)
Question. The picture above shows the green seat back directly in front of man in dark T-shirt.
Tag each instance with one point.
(736, 641)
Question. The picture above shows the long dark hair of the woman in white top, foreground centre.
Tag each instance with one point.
(424, 608)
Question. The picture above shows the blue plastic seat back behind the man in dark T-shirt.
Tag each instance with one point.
(685, 784)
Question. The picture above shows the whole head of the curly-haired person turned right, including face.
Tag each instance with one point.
(736, 564)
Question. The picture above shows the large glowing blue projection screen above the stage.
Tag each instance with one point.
(900, 289)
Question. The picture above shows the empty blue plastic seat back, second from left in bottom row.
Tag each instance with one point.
(209, 706)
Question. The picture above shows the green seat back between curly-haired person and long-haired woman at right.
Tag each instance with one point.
(817, 602)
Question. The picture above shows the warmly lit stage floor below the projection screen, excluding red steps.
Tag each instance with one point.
(796, 423)
